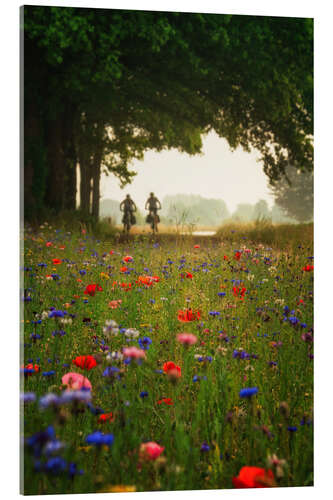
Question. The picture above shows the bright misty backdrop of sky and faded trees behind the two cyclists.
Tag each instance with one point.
(217, 186)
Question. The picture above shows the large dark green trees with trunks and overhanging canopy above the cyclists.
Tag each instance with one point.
(102, 86)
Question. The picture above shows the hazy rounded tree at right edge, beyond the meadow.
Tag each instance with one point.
(294, 194)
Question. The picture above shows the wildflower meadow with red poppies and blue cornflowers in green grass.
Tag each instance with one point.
(239, 390)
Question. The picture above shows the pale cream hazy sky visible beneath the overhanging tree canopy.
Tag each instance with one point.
(236, 177)
